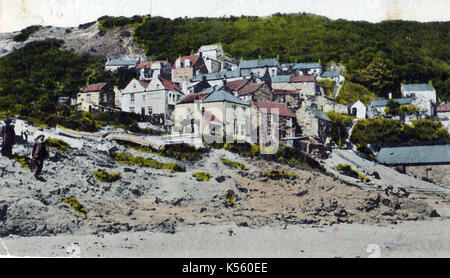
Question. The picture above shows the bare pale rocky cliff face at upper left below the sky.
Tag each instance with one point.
(84, 39)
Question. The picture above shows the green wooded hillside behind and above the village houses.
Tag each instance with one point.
(378, 56)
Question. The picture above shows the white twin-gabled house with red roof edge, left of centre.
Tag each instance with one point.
(156, 98)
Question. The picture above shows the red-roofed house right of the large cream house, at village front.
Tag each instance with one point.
(280, 122)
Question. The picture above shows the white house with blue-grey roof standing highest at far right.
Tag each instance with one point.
(424, 94)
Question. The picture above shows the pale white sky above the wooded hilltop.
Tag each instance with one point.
(18, 14)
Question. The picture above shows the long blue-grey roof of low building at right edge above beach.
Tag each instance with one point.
(436, 154)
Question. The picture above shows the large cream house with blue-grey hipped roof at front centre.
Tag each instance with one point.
(219, 113)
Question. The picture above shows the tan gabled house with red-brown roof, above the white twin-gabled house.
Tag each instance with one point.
(186, 67)
